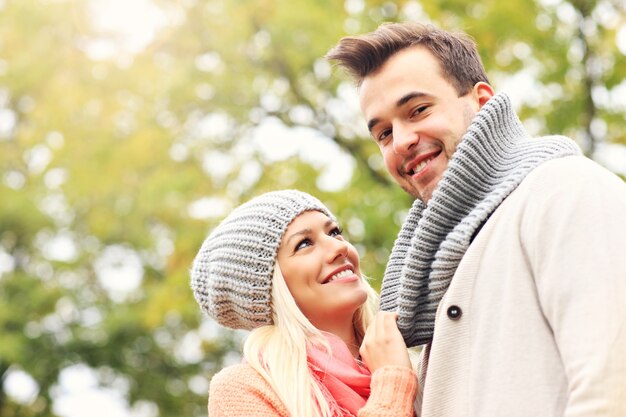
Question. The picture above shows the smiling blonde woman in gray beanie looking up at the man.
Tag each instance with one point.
(279, 266)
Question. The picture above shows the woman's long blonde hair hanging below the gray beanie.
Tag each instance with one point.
(267, 348)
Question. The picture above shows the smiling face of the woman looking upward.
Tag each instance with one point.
(321, 270)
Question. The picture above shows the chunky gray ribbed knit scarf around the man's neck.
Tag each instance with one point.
(494, 156)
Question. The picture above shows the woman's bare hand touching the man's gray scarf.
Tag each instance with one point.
(383, 344)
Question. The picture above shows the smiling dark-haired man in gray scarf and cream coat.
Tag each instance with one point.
(511, 265)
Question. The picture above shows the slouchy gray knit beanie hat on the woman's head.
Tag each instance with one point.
(231, 276)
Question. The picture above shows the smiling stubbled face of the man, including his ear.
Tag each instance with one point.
(417, 117)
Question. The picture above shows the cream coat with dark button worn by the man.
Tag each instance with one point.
(542, 299)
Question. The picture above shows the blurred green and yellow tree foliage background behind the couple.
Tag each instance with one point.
(128, 128)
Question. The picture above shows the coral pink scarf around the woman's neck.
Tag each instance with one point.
(340, 376)
